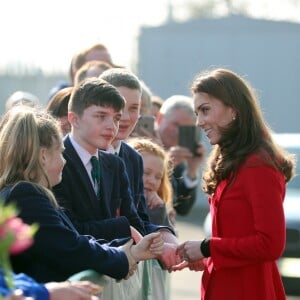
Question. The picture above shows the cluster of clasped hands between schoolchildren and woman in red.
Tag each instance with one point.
(162, 245)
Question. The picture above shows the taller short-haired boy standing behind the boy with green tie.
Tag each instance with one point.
(130, 88)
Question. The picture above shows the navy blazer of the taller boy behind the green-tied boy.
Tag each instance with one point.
(135, 170)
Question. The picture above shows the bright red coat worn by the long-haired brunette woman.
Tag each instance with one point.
(248, 236)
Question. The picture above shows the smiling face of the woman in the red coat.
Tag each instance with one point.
(212, 115)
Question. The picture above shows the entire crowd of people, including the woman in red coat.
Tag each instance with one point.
(105, 196)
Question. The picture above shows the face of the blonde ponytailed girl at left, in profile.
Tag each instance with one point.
(53, 163)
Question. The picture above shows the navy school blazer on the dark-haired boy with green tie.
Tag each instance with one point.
(110, 216)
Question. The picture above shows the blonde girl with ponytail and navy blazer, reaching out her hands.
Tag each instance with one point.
(31, 163)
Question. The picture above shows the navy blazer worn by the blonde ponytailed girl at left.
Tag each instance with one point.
(58, 251)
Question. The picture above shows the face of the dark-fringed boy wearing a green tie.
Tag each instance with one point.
(96, 128)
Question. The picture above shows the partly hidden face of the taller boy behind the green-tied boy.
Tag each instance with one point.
(131, 112)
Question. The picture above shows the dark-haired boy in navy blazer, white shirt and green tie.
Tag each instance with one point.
(103, 208)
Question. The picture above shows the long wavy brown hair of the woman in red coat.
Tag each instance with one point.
(247, 134)
